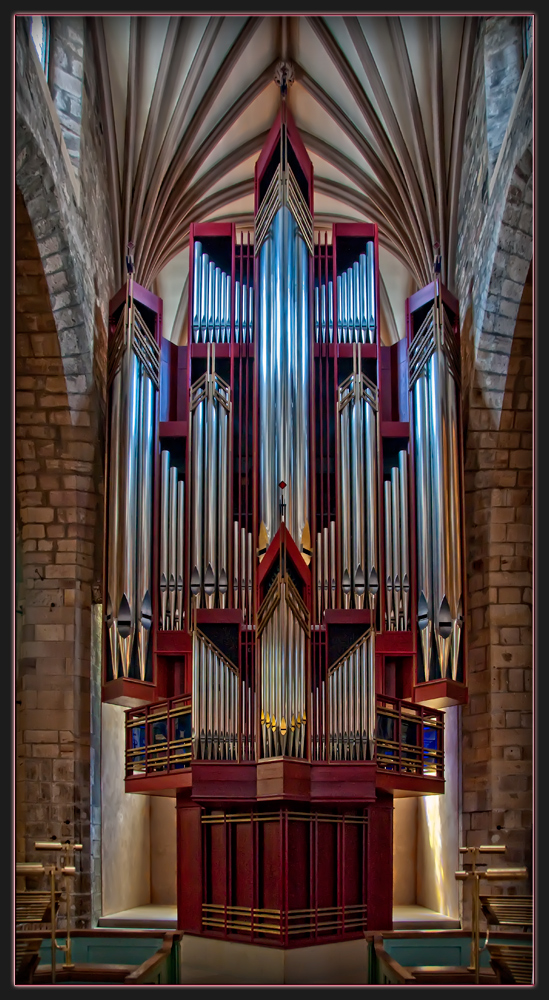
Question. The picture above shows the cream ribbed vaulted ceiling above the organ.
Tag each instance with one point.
(380, 103)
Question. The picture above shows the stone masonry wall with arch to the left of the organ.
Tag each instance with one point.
(64, 274)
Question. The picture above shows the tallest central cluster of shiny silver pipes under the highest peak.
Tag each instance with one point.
(283, 385)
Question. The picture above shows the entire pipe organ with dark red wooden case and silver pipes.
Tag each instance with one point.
(284, 564)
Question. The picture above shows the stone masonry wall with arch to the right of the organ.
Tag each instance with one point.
(494, 285)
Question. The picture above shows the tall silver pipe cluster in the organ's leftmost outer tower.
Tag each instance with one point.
(133, 378)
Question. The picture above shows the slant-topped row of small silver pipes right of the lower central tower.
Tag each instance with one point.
(351, 702)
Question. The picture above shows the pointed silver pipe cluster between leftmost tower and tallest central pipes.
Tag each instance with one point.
(210, 421)
